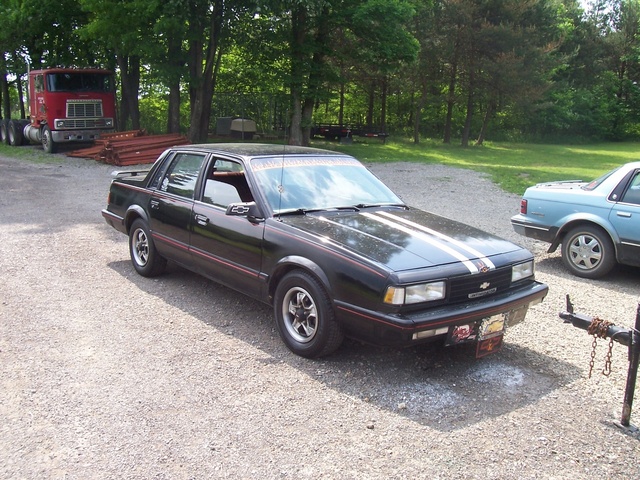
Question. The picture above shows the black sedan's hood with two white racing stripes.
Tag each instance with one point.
(405, 239)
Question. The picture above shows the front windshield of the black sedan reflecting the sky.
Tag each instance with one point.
(301, 183)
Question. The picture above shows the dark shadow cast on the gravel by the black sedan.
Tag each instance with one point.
(443, 388)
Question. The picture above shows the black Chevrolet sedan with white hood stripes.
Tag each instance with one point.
(320, 238)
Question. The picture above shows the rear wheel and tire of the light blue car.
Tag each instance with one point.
(588, 252)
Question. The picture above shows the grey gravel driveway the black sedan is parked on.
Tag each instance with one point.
(108, 375)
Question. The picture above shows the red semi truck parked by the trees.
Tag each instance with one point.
(66, 105)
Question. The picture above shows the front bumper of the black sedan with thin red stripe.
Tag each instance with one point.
(404, 330)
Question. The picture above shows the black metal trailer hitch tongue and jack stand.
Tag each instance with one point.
(628, 337)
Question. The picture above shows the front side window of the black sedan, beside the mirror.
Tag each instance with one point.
(225, 184)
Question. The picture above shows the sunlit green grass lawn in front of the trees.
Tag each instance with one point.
(512, 166)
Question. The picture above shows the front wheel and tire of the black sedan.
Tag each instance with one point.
(305, 317)
